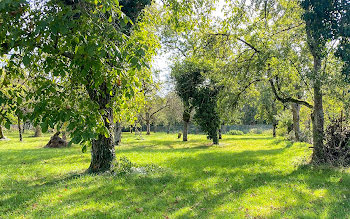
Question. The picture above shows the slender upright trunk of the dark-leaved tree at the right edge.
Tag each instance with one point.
(318, 155)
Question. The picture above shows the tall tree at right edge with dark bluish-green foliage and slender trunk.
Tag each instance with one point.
(325, 20)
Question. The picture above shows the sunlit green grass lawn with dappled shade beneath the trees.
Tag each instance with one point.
(246, 176)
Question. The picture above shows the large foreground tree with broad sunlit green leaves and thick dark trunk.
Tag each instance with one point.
(90, 46)
